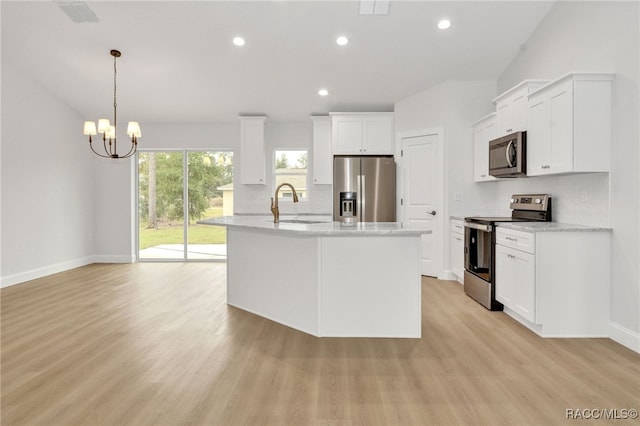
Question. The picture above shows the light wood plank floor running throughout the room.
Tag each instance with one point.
(156, 344)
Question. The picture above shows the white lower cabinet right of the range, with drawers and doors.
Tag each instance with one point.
(555, 282)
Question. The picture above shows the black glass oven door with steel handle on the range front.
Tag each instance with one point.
(478, 244)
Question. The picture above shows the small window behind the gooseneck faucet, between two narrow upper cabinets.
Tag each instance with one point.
(291, 167)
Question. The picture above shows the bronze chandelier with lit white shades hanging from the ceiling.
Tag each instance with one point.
(108, 130)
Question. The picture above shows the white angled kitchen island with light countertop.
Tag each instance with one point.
(326, 278)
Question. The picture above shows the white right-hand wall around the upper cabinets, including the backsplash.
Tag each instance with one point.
(596, 36)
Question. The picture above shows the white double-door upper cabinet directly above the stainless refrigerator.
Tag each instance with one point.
(362, 133)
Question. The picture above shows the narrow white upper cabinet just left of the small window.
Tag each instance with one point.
(252, 159)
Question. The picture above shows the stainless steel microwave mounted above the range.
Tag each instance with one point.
(508, 155)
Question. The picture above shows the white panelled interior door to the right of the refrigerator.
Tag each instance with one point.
(422, 195)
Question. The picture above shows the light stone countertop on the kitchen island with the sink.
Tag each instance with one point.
(323, 226)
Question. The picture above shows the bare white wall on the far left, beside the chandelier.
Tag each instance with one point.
(47, 183)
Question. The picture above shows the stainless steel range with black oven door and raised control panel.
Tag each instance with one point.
(480, 240)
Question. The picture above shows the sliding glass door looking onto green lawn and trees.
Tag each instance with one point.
(176, 189)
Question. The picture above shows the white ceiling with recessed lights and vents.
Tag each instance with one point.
(178, 63)
